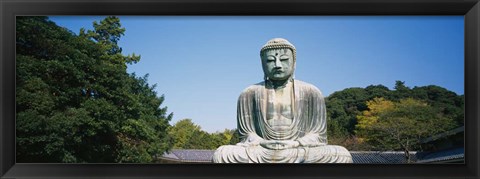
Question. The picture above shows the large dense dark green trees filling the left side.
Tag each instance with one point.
(75, 101)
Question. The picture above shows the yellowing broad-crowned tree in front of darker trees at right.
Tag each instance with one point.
(400, 125)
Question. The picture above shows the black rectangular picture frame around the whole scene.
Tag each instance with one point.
(10, 9)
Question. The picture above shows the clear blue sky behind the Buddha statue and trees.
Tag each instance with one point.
(201, 64)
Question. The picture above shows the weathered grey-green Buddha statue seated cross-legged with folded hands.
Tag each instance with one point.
(281, 120)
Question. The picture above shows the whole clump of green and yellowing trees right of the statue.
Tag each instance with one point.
(365, 118)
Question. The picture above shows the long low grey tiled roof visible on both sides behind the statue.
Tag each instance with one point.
(367, 157)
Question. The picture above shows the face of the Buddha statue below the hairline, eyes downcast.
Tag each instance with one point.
(278, 64)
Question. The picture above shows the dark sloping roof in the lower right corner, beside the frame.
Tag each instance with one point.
(457, 153)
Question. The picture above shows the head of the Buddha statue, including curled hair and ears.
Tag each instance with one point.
(278, 59)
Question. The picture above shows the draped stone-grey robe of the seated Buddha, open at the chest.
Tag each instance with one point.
(309, 128)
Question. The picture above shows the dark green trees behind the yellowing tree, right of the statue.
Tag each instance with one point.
(344, 108)
